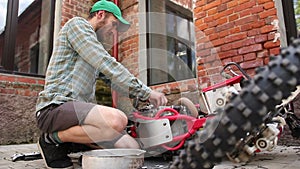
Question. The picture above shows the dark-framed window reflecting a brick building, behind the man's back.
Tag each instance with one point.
(26, 31)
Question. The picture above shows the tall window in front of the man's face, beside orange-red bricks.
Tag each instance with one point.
(170, 43)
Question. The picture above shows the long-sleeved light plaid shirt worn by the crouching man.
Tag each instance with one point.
(77, 60)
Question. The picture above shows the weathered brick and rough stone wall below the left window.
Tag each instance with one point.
(17, 106)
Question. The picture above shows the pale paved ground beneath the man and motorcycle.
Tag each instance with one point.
(282, 157)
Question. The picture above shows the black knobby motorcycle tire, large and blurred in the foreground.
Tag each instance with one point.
(245, 114)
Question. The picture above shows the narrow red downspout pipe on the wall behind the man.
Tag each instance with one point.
(115, 52)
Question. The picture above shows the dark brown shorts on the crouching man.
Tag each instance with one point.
(60, 117)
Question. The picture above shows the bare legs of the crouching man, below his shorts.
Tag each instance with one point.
(101, 124)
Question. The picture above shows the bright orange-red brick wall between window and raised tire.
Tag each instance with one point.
(233, 30)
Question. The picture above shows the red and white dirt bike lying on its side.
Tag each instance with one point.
(247, 119)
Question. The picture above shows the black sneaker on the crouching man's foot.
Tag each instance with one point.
(55, 156)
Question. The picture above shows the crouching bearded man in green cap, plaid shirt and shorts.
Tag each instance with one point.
(65, 112)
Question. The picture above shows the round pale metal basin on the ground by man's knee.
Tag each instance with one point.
(113, 159)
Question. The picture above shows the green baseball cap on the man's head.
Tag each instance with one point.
(115, 10)
